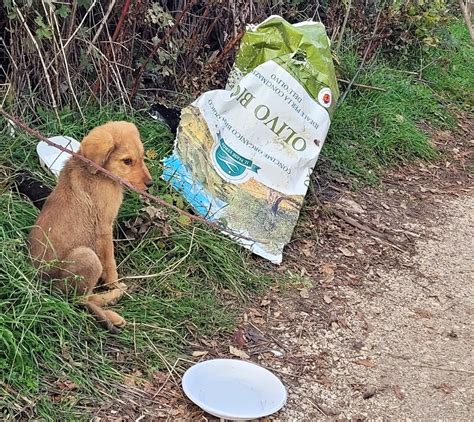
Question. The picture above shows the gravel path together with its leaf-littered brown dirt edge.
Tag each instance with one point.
(375, 319)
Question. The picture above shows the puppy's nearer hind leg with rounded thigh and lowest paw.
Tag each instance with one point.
(80, 273)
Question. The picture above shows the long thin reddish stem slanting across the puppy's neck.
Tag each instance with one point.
(118, 179)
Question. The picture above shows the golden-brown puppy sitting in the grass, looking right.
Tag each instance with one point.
(73, 233)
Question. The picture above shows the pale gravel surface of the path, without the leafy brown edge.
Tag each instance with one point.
(405, 347)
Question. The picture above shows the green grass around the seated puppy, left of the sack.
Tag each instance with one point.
(47, 343)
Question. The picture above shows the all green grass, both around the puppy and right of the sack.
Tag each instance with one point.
(55, 363)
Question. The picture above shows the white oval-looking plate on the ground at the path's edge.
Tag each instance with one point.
(234, 389)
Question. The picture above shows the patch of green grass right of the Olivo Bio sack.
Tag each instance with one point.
(372, 129)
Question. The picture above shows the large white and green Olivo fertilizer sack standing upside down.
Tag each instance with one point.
(243, 156)
